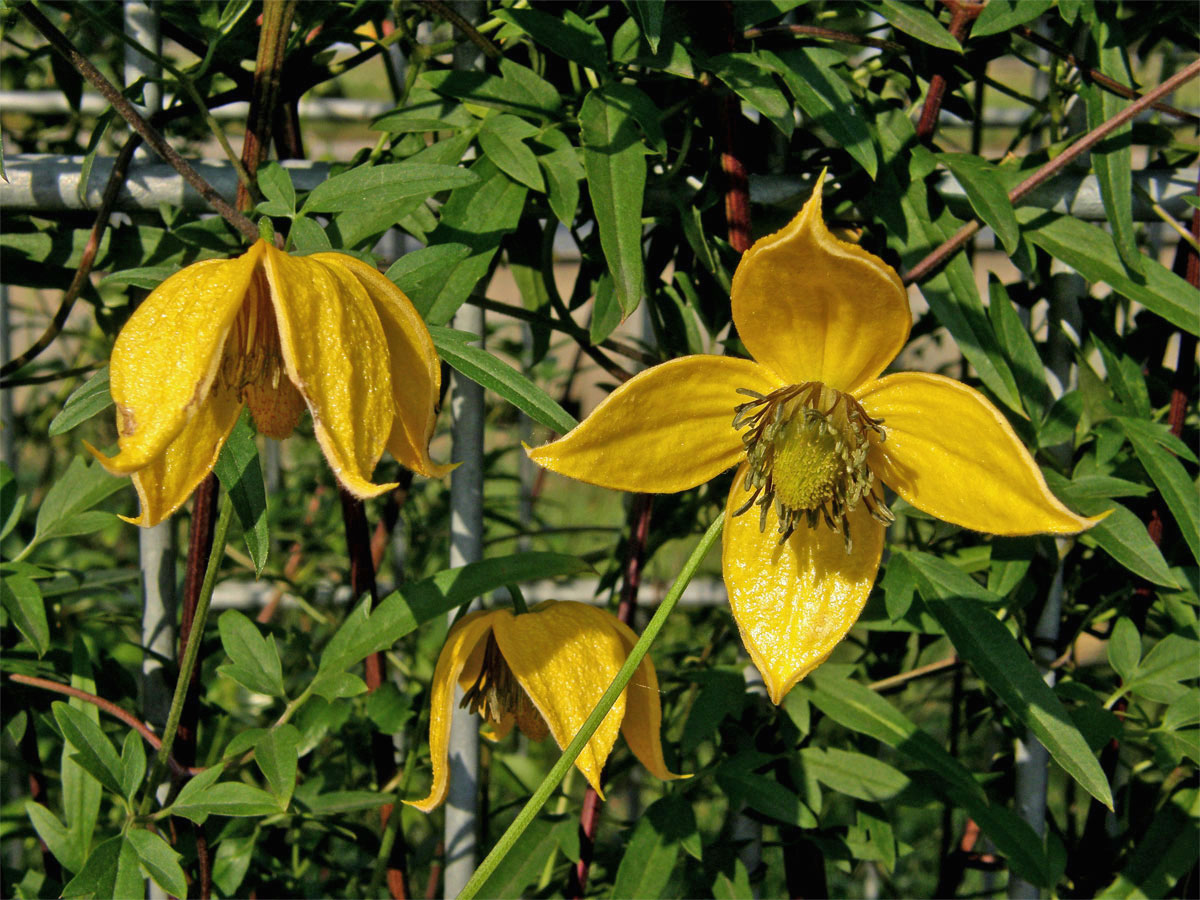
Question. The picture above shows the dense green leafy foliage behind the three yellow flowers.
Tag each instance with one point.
(603, 127)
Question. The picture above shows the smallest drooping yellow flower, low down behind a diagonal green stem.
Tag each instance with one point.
(544, 671)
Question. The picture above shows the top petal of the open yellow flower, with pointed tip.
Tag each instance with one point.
(815, 309)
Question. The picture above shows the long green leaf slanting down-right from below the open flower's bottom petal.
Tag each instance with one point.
(860, 709)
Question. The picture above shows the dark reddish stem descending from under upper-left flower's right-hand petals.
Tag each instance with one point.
(383, 754)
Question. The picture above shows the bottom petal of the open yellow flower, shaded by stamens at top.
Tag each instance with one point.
(795, 602)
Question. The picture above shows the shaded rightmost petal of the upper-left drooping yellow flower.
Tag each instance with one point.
(416, 369)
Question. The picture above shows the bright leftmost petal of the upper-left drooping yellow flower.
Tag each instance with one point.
(167, 356)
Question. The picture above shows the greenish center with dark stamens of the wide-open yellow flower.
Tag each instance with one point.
(807, 447)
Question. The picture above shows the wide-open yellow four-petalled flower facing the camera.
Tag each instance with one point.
(814, 430)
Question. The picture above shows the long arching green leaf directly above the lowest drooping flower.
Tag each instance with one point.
(403, 611)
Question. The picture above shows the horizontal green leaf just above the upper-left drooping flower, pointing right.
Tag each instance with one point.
(385, 187)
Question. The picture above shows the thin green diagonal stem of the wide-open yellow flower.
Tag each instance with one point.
(602, 710)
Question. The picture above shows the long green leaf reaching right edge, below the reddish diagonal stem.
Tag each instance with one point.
(1093, 254)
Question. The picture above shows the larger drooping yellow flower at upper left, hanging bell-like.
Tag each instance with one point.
(280, 334)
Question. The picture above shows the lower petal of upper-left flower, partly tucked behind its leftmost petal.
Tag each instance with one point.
(166, 483)
